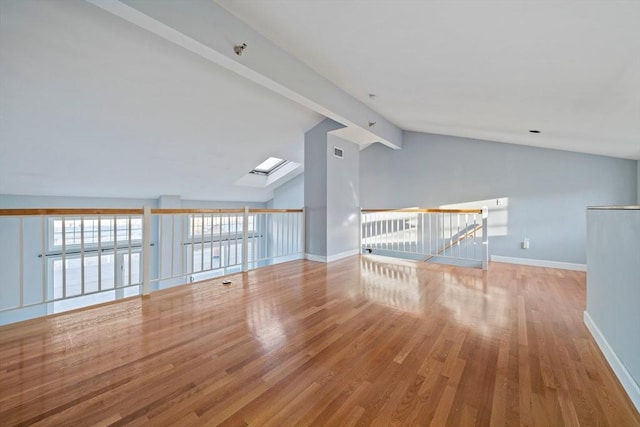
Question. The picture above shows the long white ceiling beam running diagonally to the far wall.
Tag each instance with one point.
(208, 30)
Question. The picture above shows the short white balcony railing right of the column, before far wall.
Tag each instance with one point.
(456, 236)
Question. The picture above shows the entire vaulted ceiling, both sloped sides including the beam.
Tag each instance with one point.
(92, 104)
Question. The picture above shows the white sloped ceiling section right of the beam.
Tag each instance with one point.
(482, 69)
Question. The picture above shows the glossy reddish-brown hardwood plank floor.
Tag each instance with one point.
(361, 341)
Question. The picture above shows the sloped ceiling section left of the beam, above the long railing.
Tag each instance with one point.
(91, 105)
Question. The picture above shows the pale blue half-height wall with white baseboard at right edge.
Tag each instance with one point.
(613, 291)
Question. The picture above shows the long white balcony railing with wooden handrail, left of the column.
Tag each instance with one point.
(53, 260)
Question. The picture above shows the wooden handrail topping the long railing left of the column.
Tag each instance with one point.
(100, 211)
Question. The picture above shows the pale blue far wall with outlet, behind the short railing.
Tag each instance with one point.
(548, 190)
